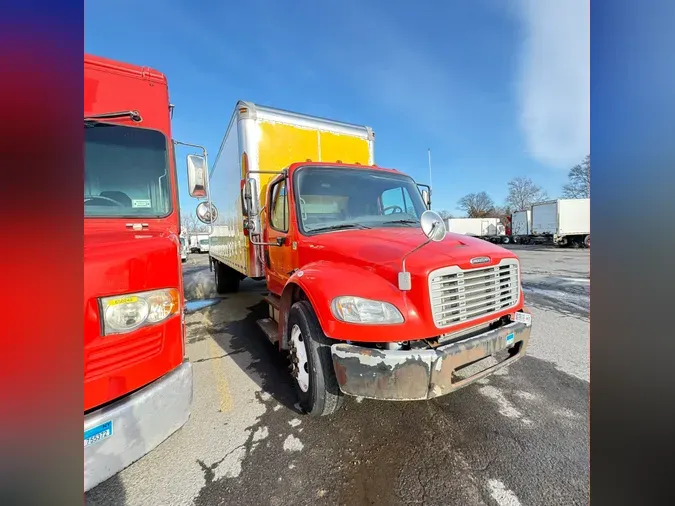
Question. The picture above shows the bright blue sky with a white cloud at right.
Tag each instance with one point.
(496, 88)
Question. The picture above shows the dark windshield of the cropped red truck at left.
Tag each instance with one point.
(125, 172)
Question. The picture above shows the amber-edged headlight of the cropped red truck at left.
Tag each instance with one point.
(123, 313)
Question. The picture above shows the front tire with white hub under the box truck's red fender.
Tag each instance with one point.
(322, 395)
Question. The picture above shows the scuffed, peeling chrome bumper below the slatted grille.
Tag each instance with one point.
(423, 374)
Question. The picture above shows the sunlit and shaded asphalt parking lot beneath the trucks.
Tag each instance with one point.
(520, 437)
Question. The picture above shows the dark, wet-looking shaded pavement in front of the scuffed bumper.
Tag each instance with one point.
(526, 431)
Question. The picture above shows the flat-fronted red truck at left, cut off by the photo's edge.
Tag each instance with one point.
(137, 380)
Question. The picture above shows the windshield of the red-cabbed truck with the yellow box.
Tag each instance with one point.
(335, 198)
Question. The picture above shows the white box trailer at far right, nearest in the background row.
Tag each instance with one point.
(565, 221)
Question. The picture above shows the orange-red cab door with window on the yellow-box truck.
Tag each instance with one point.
(278, 259)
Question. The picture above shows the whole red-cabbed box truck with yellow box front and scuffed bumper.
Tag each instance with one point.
(368, 295)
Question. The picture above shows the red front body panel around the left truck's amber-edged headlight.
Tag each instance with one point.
(120, 262)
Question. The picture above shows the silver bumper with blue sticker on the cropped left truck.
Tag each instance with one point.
(121, 433)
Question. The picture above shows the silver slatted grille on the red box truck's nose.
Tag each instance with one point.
(459, 295)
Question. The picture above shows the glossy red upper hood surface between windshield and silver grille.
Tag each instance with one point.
(383, 249)
